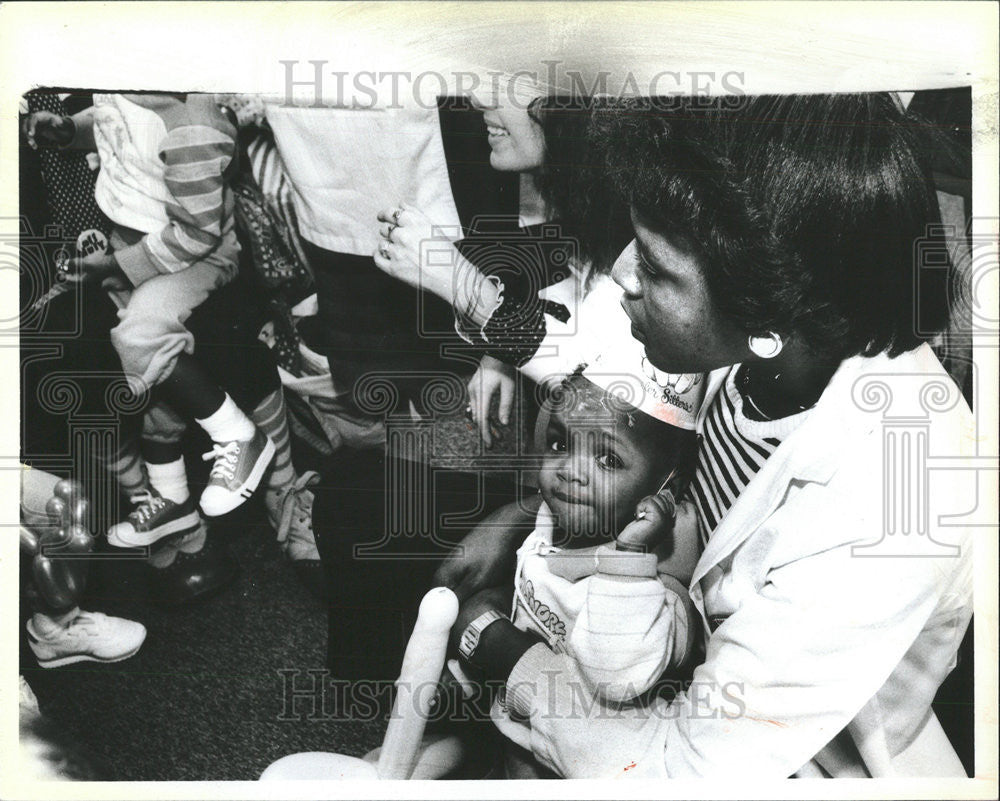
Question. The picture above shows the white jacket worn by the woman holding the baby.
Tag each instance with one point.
(828, 638)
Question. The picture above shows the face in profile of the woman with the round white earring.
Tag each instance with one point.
(667, 300)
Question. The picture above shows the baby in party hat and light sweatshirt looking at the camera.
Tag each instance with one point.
(616, 605)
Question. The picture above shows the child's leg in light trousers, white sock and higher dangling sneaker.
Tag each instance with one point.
(156, 347)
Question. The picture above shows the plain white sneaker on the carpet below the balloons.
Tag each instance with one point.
(90, 637)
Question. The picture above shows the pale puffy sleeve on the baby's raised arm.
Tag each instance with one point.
(636, 623)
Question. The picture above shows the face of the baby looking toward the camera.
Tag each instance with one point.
(593, 473)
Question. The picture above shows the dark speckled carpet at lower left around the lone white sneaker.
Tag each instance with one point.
(205, 698)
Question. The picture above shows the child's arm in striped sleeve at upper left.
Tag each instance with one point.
(195, 157)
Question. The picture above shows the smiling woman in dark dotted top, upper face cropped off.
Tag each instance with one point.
(526, 299)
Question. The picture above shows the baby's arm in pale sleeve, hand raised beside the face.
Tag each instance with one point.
(637, 620)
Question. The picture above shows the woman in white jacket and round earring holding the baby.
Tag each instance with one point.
(782, 246)
